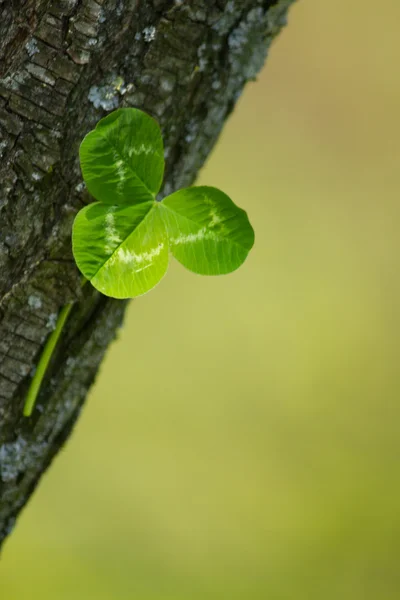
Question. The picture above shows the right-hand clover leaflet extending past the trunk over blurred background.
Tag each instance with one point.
(207, 232)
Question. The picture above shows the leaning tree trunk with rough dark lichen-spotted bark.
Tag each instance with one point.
(63, 65)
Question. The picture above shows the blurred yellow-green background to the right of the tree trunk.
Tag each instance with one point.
(242, 440)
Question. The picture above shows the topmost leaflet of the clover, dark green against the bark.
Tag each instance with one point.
(122, 160)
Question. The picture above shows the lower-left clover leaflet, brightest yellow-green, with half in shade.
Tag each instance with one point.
(121, 250)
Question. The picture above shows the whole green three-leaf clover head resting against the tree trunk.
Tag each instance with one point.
(122, 242)
